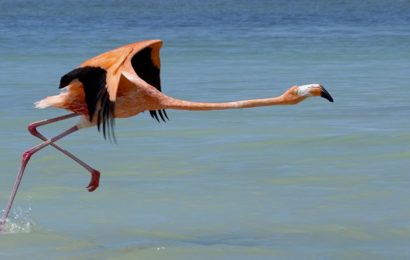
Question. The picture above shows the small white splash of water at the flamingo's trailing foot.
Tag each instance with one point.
(18, 222)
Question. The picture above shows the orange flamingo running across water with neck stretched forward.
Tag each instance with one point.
(122, 83)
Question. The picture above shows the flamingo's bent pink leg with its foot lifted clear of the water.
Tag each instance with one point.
(95, 175)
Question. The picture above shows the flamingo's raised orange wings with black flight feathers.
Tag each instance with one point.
(101, 75)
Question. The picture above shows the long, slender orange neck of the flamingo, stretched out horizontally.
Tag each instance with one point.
(173, 103)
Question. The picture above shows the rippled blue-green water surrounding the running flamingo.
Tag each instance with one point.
(317, 180)
